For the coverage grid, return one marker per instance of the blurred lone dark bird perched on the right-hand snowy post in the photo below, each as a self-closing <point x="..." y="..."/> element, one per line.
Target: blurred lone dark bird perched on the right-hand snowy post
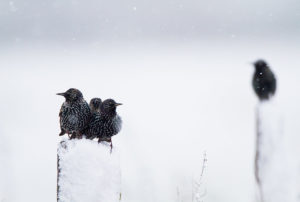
<point x="264" y="81"/>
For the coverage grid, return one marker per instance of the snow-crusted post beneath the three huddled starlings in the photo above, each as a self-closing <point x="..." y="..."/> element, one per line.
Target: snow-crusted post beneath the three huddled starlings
<point x="87" y="171"/>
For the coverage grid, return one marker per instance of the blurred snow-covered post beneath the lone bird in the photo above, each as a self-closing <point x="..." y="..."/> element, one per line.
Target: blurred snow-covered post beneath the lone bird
<point x="271" y="170"/>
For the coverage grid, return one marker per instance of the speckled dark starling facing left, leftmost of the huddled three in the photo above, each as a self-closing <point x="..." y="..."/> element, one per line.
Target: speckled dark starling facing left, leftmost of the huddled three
<point x="74" y="114"/>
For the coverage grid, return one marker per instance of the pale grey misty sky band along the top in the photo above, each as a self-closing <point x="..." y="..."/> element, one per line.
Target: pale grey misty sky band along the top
<point x="98" y="20"/>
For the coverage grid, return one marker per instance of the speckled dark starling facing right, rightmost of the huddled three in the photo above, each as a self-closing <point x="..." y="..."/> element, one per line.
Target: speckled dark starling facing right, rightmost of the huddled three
<point x="106" y="123"/>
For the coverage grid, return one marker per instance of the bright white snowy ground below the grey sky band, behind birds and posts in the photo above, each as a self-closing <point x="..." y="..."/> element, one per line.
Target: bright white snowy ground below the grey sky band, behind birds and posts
<point x="179" y="100"/>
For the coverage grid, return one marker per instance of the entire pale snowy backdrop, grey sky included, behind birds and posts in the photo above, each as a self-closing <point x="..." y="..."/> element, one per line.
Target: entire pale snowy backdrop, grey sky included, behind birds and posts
<point x="181" y="69"/>
